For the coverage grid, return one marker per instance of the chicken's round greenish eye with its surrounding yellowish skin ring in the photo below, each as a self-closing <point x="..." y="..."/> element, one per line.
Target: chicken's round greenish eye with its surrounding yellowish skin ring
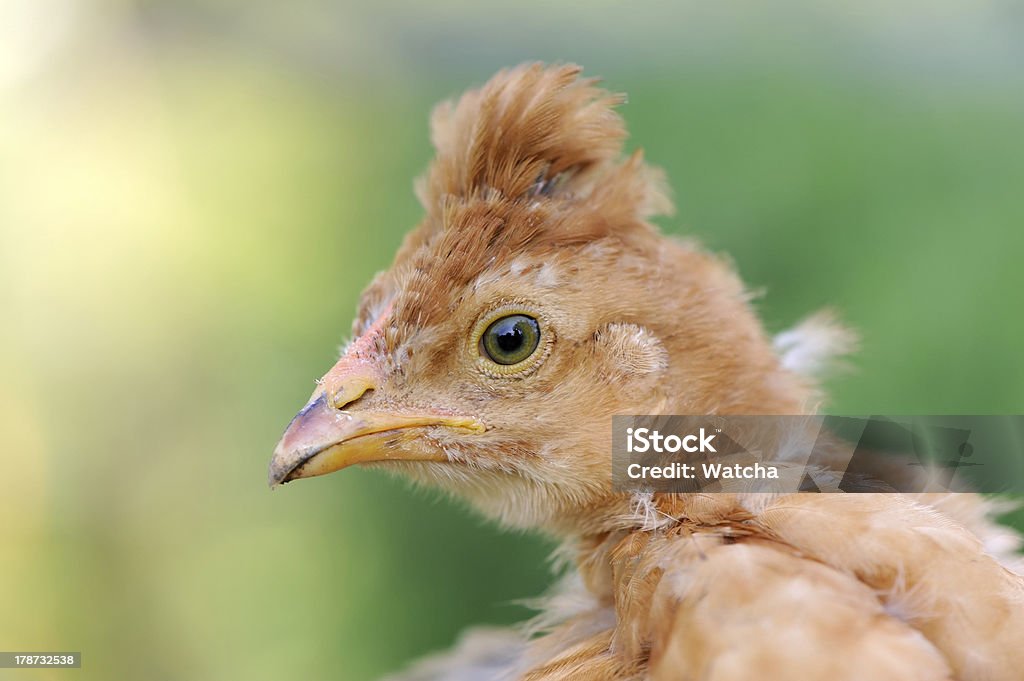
<point x="510" y="342"/>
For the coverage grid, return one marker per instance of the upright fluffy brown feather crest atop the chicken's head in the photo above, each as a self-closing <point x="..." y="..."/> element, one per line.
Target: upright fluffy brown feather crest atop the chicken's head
<point x="535" y="133"/>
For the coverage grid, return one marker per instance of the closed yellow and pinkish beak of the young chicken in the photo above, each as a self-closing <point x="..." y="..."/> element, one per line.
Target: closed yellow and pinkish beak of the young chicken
<point x="322" y="440"/>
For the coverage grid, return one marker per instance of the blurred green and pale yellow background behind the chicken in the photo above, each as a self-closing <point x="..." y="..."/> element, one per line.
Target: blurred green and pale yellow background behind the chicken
<point x="193" y="194"/>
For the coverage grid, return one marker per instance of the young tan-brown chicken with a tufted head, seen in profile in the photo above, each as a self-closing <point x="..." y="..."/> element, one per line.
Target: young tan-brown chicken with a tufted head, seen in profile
<point x="535" y="302"/>
